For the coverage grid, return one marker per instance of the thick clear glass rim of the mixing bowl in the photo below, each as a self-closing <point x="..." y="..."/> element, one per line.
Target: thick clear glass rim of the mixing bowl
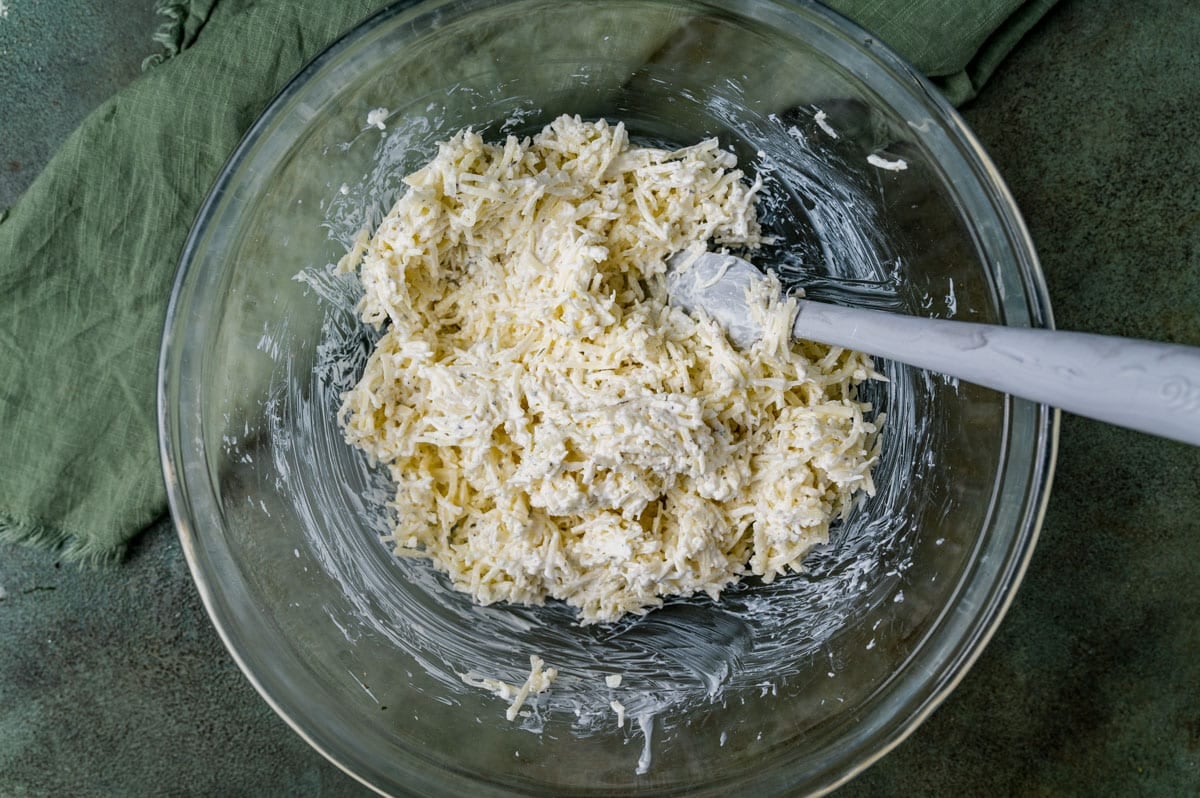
<point x="1046" y="428"/>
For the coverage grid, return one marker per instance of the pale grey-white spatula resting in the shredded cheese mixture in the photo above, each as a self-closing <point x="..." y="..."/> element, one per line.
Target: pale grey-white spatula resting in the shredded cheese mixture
<point x="1138" y="385"/>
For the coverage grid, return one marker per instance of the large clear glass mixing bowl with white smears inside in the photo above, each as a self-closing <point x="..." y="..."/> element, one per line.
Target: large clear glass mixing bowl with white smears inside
<point x="793" y="687"/>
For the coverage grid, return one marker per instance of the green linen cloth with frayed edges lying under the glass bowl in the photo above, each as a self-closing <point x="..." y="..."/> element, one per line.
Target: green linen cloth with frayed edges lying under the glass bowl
<point x="89" y="253"/>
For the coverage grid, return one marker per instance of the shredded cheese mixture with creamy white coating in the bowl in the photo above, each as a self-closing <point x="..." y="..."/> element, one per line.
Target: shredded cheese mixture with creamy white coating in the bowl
<point x="554" y="428"/>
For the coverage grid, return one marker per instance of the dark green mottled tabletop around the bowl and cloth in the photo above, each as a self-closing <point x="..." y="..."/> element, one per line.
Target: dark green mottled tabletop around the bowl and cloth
<point x="113" y="683"/>
